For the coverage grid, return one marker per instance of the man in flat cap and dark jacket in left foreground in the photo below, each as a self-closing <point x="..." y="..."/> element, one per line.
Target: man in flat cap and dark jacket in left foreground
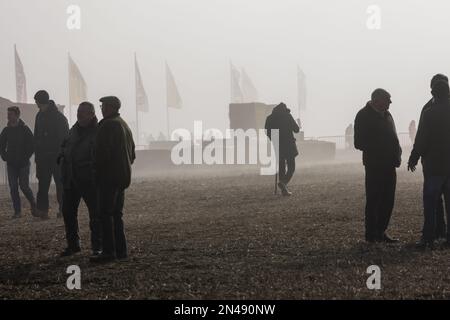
<point x="114" y="155"/>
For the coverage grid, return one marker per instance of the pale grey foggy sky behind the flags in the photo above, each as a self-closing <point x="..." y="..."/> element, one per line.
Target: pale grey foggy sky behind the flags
<point x="342" y="58"/>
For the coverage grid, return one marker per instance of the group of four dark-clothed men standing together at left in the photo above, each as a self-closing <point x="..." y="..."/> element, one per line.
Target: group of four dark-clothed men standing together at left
<point x="91" y="161"/>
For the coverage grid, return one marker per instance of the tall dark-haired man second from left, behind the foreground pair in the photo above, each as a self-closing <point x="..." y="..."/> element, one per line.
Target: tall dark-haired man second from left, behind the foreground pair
<point x="50" y="130"/>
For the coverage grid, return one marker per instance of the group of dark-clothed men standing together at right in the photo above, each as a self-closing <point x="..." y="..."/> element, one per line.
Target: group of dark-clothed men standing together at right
<point x="376" y="137"/>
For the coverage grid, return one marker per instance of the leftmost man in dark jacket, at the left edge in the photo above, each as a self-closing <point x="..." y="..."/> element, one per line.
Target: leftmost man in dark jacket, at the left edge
<point x="16" y="149"/>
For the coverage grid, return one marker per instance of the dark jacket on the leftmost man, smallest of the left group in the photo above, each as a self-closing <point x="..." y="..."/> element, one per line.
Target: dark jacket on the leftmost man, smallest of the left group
<point x="16" y="145"/>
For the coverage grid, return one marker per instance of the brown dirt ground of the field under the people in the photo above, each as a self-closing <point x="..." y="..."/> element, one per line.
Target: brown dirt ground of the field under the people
<point x="226" y="236"/>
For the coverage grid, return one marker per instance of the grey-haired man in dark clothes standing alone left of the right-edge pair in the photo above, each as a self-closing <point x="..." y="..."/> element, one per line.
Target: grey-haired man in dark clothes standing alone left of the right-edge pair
<point x="376" y="137"/>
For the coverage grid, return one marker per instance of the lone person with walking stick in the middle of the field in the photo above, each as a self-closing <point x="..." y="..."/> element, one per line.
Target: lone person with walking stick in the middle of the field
<point x="282" y="120"/>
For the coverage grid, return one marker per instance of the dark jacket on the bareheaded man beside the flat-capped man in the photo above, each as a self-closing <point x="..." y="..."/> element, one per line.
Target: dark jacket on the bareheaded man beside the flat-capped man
<point x="77" y="156"/>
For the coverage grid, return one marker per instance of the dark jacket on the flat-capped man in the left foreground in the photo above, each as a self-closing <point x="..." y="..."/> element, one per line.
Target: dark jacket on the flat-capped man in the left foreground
<point x="114" y="153"/>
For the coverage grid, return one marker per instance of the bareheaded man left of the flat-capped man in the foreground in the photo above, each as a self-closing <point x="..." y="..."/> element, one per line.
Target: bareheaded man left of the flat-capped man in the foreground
<point x="77" y="167"/>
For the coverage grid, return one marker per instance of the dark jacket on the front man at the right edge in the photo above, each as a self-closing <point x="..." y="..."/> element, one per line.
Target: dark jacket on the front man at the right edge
<point x="432" y="141"/>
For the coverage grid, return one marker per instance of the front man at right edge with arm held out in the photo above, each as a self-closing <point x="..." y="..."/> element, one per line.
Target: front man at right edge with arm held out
<point x="432" y="144"/>
